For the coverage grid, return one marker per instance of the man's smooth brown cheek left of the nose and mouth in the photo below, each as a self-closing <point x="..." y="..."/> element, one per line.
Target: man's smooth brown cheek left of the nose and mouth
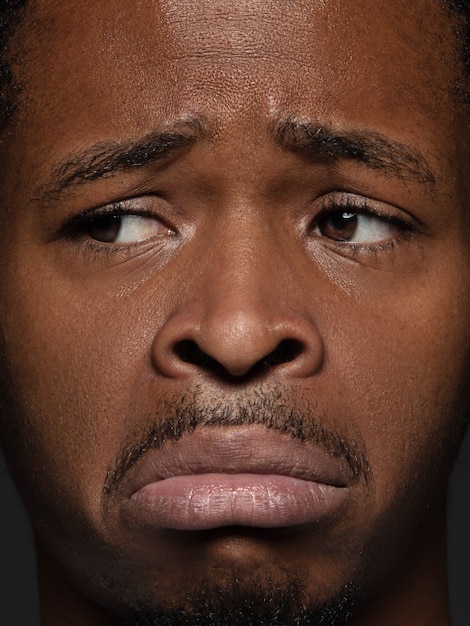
<point x="73" y="381"/>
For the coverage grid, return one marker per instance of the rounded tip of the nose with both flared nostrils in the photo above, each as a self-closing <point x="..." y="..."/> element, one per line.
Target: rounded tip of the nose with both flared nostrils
<point x="244" y="345"/>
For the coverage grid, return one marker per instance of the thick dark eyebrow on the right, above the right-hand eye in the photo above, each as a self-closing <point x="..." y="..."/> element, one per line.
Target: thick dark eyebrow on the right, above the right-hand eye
<point x="366" y="147"/>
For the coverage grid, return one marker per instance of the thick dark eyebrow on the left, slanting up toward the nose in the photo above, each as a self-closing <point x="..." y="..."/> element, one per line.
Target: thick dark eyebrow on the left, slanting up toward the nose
<point x="108" y="157"/>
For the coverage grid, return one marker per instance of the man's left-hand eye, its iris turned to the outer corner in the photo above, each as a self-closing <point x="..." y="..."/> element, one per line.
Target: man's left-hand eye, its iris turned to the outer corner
<point x="124" y="229"/>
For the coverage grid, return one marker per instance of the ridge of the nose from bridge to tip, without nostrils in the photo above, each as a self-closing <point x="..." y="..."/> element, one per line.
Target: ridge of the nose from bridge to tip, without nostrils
<point x="242" y="296"/>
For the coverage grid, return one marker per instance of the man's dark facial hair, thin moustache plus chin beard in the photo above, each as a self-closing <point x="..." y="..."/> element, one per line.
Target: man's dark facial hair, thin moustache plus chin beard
<point x="244" y="595"/>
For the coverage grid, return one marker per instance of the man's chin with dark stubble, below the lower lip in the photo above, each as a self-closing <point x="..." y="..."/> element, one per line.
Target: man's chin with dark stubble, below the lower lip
<point x="236" y="577"/>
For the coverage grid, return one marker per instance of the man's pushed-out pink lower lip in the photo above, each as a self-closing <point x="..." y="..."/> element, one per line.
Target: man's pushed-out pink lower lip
<point x="207" y="501"/>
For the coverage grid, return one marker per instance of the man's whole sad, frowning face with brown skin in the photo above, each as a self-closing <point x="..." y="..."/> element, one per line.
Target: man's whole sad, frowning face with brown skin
<point x="235" y="293"/>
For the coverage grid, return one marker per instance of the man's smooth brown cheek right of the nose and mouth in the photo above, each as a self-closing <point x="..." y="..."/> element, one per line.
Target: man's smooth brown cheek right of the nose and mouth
<point x="402" y="368"/>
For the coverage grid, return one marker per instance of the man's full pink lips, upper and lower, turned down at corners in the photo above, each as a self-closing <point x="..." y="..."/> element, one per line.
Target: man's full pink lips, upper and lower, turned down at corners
<point x="234" y="476"/>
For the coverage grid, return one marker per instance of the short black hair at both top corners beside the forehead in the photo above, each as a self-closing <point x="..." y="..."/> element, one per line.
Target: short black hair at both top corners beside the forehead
<point x="12" y="11"/>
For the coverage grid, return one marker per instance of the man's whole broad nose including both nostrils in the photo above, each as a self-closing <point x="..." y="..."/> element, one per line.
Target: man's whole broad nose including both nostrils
<point x="239" y="321"/>
